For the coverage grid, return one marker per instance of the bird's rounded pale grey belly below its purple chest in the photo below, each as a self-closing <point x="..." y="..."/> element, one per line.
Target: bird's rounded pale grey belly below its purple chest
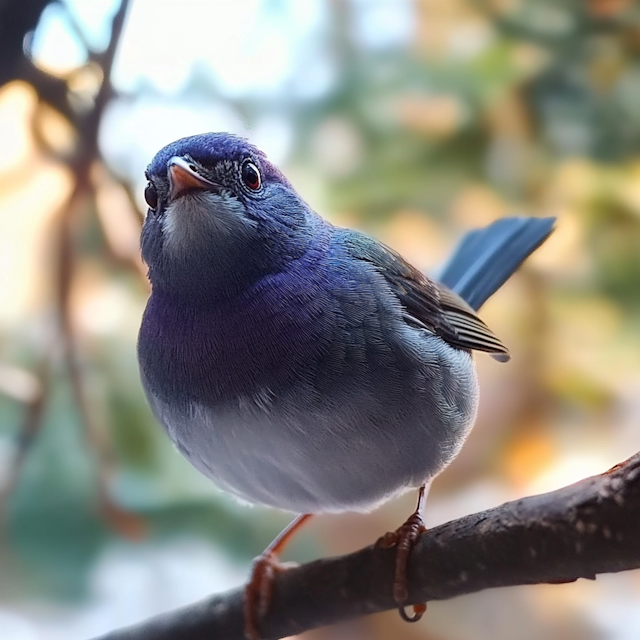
<point x="307" y="450"/>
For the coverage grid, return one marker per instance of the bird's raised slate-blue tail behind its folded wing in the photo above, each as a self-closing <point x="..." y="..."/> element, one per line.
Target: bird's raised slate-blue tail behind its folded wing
<point x="486" y="258"/>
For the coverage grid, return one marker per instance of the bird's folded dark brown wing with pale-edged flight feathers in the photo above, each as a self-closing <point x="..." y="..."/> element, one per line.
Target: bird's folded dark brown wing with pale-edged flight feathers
<point x="426" y="304"/>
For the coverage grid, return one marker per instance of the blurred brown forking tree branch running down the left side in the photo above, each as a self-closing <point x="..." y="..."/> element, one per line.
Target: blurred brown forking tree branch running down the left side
<point x="18" y="20"/>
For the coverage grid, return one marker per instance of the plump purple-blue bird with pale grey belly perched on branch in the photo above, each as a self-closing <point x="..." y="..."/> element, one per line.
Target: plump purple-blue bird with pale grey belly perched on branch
<point x="302" y="365"/>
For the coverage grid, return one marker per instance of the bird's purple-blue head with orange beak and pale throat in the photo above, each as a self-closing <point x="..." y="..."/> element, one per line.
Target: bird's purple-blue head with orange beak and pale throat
<point x="220" y="216"/>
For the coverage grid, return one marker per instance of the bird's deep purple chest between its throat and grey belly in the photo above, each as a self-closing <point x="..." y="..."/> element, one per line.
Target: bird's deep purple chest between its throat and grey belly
<point x="246" y="346"/>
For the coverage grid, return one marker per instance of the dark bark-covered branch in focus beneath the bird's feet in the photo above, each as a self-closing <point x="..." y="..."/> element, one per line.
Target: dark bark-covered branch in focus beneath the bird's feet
<point x="582" y="530"/>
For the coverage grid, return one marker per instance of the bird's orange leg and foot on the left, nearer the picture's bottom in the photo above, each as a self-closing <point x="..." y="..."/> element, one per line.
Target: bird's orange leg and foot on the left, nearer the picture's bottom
<point x="259" y="589"/>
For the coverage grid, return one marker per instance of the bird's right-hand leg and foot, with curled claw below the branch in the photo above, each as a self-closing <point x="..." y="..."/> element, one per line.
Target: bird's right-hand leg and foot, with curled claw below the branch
<point x="403" y="539"/>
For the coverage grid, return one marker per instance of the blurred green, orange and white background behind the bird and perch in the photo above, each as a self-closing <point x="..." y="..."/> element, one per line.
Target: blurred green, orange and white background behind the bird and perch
<point x="413" y="120"/>
